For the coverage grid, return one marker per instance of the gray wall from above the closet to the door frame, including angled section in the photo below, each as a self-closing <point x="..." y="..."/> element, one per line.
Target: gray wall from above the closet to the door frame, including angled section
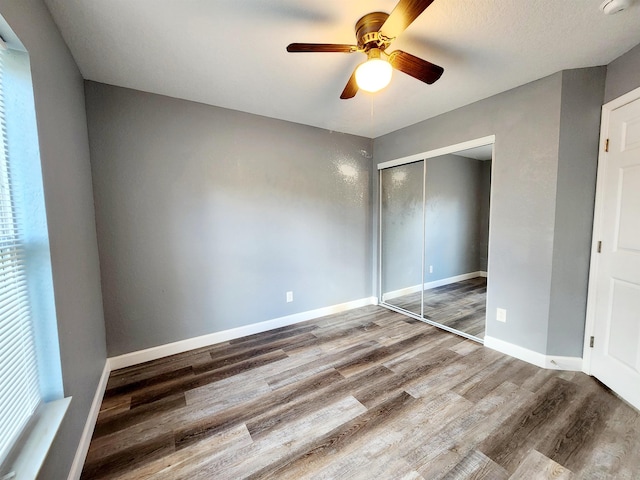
<point x="541" y="178"/>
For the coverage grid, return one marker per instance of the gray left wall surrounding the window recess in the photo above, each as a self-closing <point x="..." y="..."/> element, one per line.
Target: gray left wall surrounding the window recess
<point x="64" y="151"/>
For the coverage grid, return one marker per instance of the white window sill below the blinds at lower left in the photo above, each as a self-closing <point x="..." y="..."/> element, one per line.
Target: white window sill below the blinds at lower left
<point x="36" y="446"/>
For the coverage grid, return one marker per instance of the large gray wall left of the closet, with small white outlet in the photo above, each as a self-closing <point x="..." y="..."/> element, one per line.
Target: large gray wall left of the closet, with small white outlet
<point x="207" y="216"/>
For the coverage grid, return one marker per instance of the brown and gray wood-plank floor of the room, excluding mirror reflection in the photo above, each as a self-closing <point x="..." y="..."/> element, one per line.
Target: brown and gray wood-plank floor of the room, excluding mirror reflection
<point x="369" y="394"/>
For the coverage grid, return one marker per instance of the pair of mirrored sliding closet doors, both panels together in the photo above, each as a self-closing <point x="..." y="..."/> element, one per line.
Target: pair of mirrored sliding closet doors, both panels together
<point x="434" y="238"/>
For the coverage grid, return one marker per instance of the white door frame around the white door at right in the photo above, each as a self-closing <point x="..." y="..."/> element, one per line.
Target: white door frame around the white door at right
<point x="590" y="321"/>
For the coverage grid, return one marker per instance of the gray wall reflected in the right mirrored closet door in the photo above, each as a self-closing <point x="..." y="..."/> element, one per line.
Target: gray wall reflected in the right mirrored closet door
<point x="453" y="216"/>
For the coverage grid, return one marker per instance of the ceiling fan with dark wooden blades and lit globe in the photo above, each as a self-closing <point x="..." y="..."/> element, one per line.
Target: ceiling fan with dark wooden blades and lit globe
<point x="374" y="33"/>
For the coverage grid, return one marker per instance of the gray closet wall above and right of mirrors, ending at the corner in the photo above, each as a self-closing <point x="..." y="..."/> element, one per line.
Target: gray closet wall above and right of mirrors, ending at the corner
<point x="526" y="122"/>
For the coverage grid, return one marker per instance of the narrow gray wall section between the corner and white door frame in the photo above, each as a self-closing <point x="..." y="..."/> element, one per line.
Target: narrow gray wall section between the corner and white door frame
<point x="582" y="94"/>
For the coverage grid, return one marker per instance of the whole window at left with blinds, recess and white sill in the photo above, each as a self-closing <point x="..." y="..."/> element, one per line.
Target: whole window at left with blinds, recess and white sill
<point x="31" y="394"/>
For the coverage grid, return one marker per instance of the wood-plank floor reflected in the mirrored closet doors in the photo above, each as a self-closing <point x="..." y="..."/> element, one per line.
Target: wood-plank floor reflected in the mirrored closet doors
<point x="460" y="305"/>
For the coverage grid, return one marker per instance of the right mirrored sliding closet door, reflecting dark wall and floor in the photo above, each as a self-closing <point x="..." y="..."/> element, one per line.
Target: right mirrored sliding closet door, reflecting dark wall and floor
<point x="456" y="241"/>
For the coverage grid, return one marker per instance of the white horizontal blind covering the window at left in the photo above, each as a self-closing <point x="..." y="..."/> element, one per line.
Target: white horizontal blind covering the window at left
<point x="19" y="384"/>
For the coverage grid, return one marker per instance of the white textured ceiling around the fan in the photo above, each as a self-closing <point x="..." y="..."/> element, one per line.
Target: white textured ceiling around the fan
<point x="231" y="53"/>
